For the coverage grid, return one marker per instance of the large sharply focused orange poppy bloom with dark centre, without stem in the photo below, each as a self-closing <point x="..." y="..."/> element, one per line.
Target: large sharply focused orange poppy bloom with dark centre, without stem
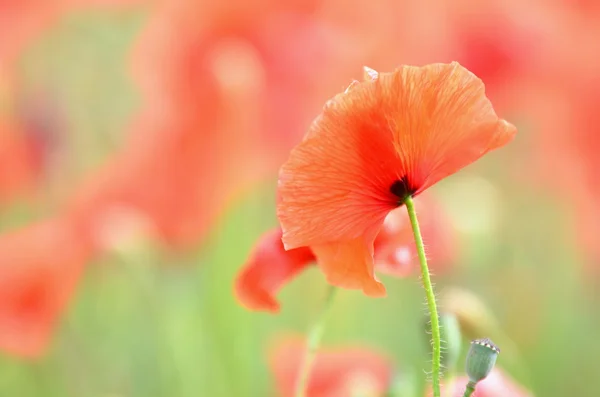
<point x="375" y="144"/>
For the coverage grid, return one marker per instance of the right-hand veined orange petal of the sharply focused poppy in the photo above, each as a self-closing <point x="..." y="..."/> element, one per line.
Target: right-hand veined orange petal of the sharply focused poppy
<point x="443" y="121"/>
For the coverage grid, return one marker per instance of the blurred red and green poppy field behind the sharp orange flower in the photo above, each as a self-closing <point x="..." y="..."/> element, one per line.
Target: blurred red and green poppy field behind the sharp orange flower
<point x="140" y="148"/>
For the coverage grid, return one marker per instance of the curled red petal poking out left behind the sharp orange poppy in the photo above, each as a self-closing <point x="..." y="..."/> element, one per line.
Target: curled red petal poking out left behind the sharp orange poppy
<point x="269" y="267"/>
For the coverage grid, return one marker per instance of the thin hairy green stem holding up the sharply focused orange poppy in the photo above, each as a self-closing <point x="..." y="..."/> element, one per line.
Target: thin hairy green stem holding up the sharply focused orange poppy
<point x="426" y="279"/>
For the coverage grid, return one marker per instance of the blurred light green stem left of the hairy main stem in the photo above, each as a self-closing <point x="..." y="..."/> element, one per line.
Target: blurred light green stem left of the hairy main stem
<point x="312" y="344"/>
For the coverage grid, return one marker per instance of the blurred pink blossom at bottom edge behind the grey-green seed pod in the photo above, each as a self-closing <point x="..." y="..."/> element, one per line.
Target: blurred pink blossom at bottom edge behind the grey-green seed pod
<point x="497" y="384"/>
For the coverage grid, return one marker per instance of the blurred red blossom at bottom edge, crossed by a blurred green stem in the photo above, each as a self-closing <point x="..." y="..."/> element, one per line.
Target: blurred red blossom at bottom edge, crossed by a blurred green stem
<point x="336" y="372"/>
